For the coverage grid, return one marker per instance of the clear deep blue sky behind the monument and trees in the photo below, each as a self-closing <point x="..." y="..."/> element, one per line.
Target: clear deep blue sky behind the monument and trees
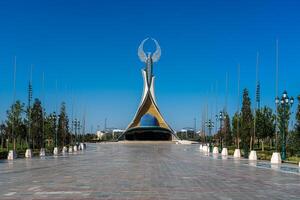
<point x="90" y="48"/>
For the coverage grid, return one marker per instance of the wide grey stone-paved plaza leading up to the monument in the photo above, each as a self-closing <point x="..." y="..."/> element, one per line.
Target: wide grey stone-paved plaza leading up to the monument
<point x="145" y="171"/>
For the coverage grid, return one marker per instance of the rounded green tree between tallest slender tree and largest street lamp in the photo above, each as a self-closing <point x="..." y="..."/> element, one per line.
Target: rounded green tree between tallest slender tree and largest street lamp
<point x="265" y="124"/>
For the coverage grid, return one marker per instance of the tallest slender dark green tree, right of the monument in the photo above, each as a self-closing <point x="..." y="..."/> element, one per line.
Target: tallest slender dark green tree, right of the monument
<point x="246" y="123"/>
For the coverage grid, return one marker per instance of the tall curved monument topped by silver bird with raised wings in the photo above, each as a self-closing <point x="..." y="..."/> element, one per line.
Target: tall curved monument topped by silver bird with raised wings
<point x="148" y="122"/>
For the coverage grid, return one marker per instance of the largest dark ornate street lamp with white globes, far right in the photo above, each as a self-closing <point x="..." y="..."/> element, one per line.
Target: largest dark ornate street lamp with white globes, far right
<point x="286" y="102"/>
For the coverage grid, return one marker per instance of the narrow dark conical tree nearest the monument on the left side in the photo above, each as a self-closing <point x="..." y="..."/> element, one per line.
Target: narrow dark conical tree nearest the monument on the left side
<point x="63" y="134"/>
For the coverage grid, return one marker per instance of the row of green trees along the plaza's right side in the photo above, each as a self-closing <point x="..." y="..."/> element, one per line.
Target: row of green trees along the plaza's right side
<point x="255" y="129"/>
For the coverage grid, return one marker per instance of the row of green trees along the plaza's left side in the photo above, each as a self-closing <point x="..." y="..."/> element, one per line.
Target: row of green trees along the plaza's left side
<point x="32" y="127"/>
